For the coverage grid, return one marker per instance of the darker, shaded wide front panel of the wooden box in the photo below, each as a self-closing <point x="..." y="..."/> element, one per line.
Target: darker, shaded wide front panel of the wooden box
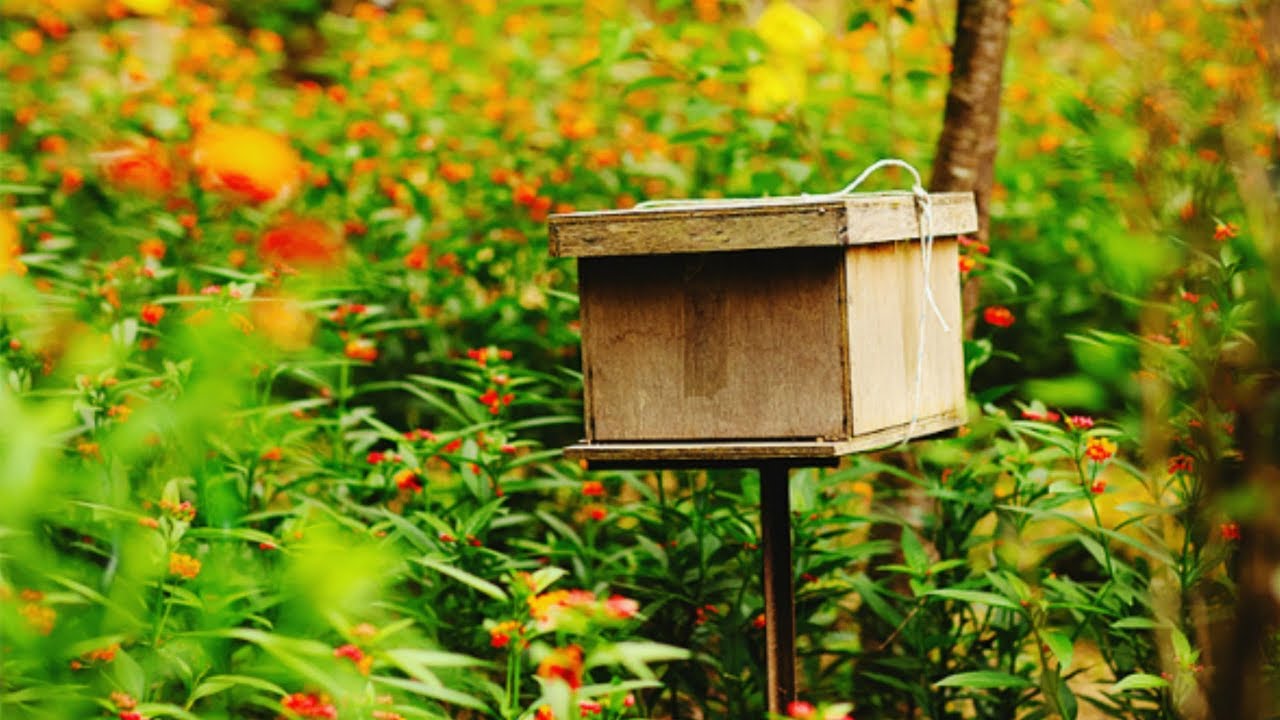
<point x="743" y="348"/>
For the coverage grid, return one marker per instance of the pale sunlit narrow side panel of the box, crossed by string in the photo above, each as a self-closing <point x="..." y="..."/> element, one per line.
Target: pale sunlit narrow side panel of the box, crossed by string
<point x="886" y="298"/>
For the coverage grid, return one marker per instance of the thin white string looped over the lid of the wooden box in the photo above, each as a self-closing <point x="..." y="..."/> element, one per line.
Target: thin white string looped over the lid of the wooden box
<point x="925" y="207"/>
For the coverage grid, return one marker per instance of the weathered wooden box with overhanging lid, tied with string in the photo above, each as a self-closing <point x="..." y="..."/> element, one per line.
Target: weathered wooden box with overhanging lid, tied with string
<point x="793" y="321"/>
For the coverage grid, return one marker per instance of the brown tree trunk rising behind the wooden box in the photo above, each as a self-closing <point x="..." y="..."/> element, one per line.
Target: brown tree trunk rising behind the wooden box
<point x="966" y="158"/>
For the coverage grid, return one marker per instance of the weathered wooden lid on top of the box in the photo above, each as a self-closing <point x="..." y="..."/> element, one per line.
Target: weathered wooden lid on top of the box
<point x="711" y="226"/>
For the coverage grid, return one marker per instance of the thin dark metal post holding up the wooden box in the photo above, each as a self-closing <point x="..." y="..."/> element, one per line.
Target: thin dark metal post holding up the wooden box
<point x="780" y="616"/>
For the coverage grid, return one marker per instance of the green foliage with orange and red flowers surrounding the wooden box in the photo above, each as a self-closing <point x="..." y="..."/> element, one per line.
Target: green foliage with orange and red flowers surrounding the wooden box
<point x="286" y="364"/>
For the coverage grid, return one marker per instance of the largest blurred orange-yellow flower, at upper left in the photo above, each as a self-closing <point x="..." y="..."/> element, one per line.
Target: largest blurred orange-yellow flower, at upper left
<point x="249" y="163"/>
